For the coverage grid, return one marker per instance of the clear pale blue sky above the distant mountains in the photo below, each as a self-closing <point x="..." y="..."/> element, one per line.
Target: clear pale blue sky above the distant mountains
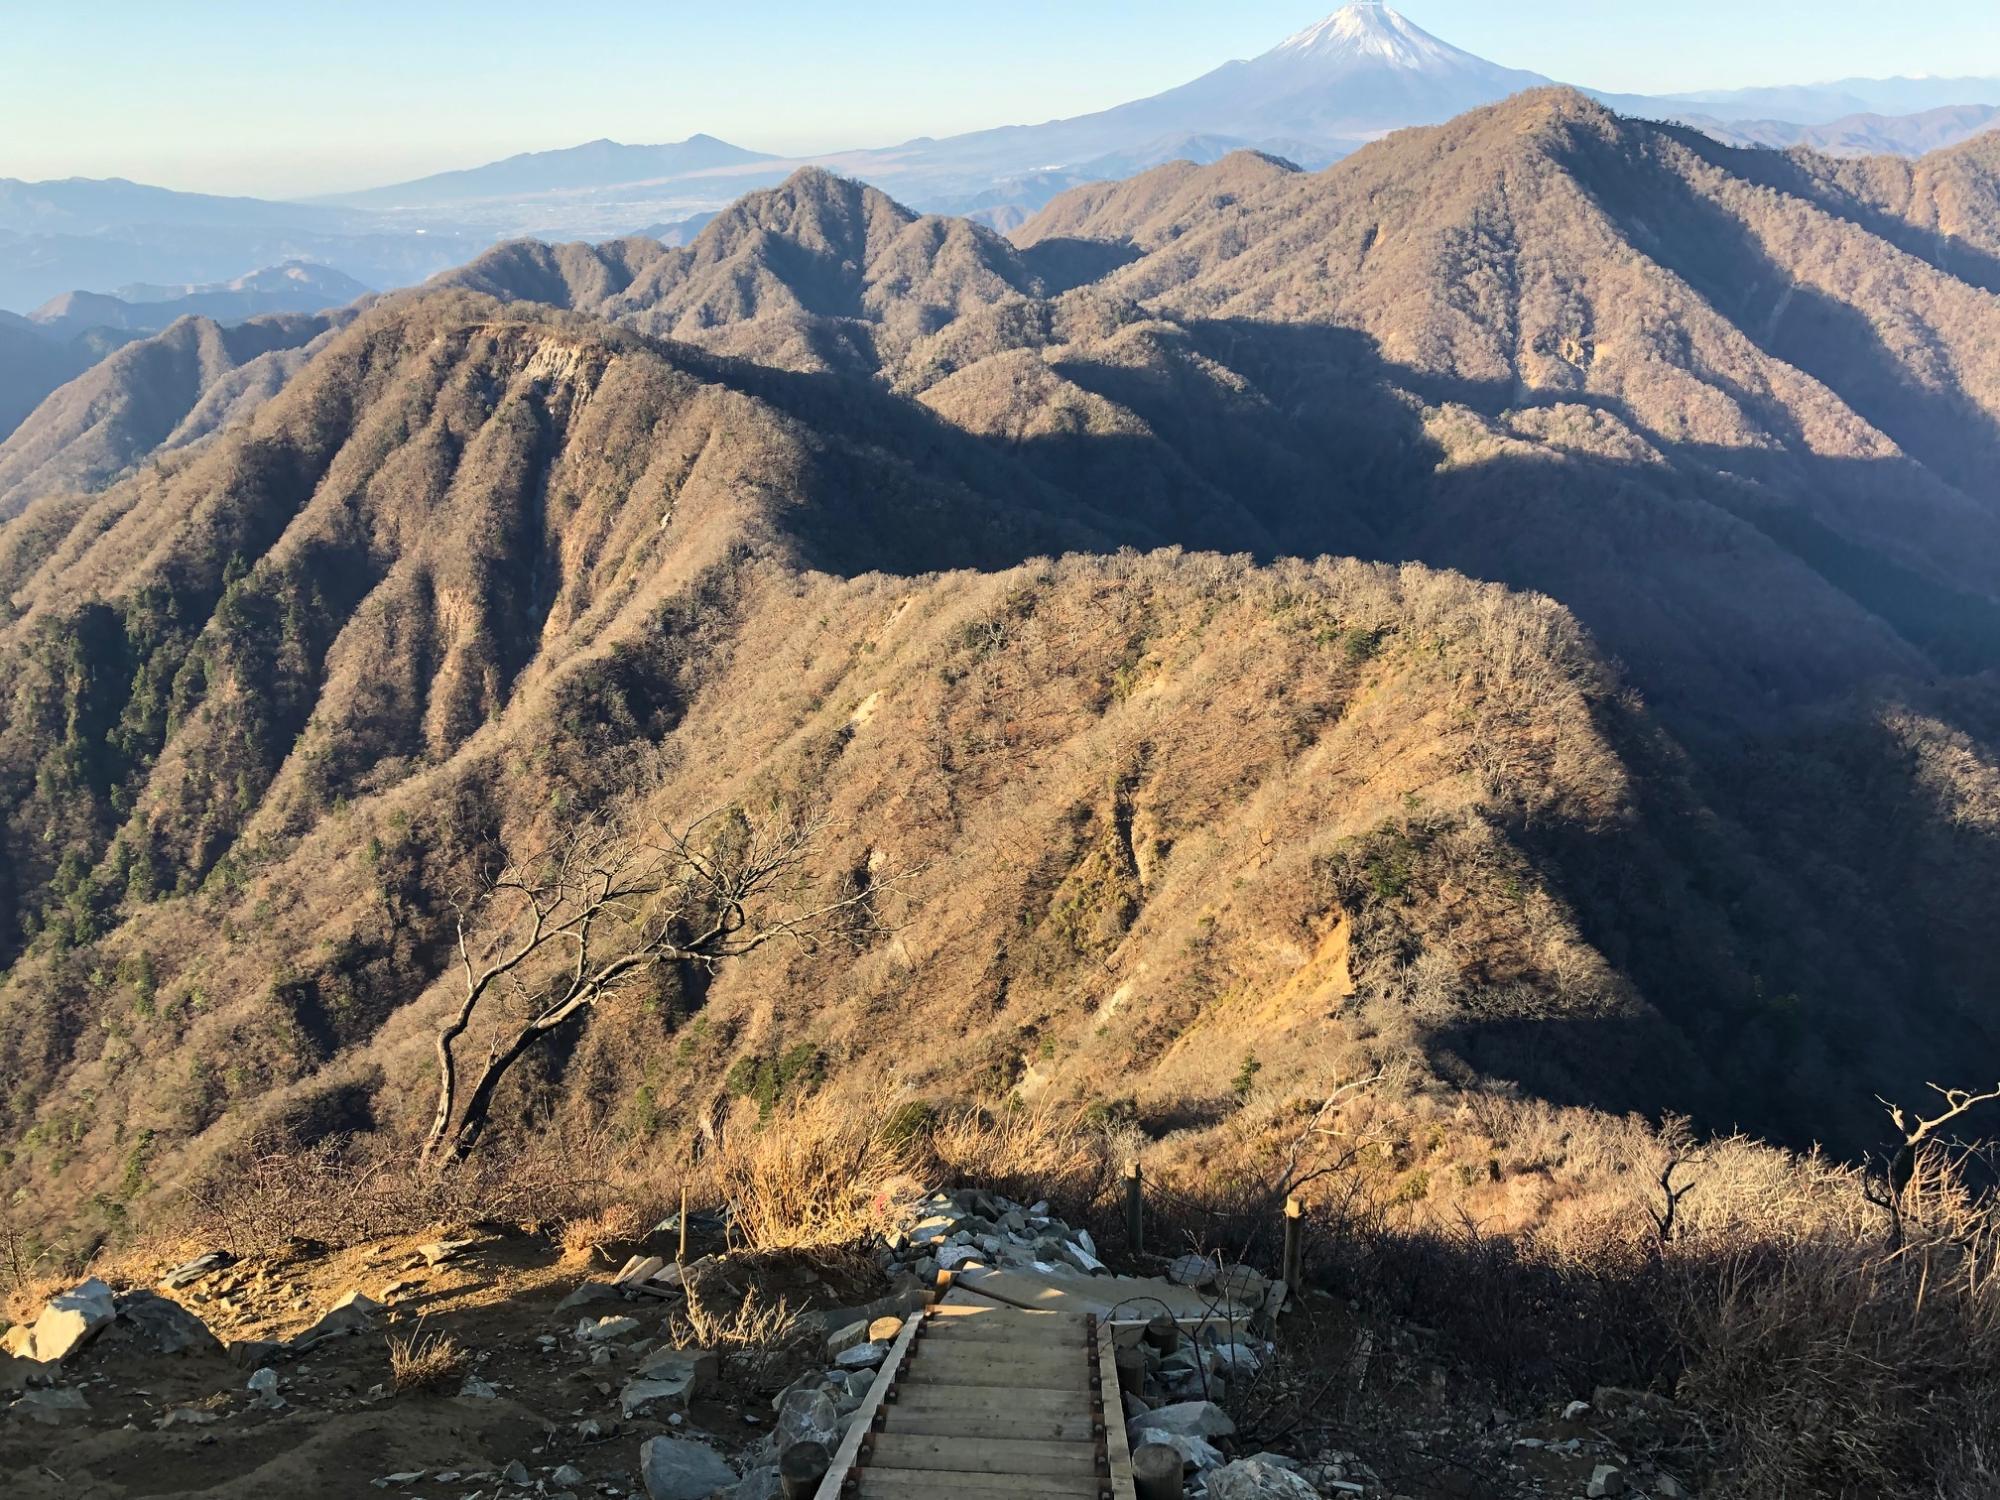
<point x="315" y="97"/>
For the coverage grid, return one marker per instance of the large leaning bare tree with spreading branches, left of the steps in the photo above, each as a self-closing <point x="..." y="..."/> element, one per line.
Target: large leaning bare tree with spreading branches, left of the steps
<point x="613" y="907"/>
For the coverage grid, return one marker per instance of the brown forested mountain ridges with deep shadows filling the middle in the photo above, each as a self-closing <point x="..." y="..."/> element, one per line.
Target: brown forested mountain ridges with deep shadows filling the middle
<point x="1523" y="599"/>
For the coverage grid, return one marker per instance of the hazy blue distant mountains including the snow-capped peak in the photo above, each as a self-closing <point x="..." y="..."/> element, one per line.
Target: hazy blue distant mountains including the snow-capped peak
<point x="1313" y="99"/>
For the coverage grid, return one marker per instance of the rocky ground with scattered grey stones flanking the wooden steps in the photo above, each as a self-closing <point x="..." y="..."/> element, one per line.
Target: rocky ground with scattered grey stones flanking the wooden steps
<point x="487" y="1363"/>
